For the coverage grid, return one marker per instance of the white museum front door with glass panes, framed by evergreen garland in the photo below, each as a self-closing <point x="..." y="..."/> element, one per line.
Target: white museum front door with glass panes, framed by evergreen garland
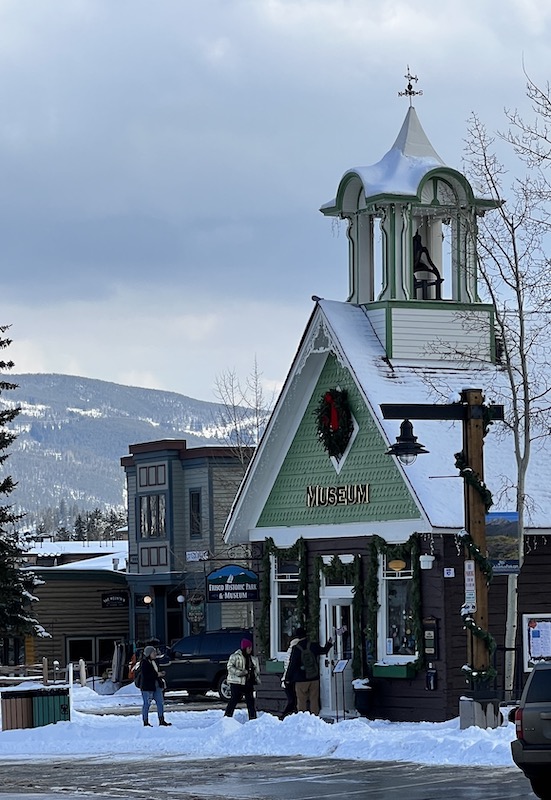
<point x="336" y="690"/>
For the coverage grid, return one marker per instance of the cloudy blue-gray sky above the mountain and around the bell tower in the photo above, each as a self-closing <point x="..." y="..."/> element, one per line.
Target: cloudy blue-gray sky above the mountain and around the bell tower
<point x="162" y="164"/>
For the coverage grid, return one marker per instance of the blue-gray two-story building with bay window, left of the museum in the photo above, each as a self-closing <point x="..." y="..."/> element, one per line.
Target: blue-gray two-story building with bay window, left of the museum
<point x="178" y="501"/>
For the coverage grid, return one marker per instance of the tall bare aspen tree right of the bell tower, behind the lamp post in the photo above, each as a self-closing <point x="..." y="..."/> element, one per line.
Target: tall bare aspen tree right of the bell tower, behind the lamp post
<point x="514" y="271"/>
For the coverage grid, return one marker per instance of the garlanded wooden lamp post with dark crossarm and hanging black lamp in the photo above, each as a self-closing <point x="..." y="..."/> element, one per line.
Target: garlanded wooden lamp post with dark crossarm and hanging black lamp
<point x="470" y="410"/>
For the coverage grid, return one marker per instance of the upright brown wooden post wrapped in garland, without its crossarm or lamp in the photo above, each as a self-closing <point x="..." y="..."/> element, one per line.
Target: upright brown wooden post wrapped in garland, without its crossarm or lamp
<point x="475" y="517"/>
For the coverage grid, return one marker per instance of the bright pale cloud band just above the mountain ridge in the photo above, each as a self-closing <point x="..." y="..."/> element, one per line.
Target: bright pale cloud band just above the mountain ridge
<point x="143" y="338"/>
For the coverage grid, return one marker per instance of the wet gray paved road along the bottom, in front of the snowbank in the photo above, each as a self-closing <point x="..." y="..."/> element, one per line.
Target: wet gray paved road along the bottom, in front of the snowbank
<point x="255" y="778"/>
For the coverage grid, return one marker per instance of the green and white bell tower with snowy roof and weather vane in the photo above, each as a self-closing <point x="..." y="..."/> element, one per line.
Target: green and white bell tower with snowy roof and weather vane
<point x="412" y="261"/>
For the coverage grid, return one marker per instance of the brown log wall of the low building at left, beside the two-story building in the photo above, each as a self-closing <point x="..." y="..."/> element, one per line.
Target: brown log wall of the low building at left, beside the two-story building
<point x="73" y="607"/>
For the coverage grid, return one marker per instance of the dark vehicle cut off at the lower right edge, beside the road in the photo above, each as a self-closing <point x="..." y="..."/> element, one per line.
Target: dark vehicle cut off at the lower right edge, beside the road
<point x="531" y="749"/>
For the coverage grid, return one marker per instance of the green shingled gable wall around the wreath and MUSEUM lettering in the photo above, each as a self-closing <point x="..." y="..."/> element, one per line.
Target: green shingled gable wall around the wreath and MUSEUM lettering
<point x="307" y="463"/>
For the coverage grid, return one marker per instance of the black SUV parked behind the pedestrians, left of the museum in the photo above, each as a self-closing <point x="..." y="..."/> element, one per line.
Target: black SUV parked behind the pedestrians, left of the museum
<point x="198" y="663"/>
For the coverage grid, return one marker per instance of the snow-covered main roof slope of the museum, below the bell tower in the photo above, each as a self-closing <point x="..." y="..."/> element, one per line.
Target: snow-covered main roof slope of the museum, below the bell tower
<point x="433" y="477"/>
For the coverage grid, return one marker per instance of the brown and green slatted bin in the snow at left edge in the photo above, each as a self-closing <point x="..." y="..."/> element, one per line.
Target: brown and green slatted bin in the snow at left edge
<point x="33" y="708"/>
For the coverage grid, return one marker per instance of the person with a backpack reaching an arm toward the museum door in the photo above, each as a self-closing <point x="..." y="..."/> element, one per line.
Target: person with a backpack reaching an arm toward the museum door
<point x="303" y="671"/>
